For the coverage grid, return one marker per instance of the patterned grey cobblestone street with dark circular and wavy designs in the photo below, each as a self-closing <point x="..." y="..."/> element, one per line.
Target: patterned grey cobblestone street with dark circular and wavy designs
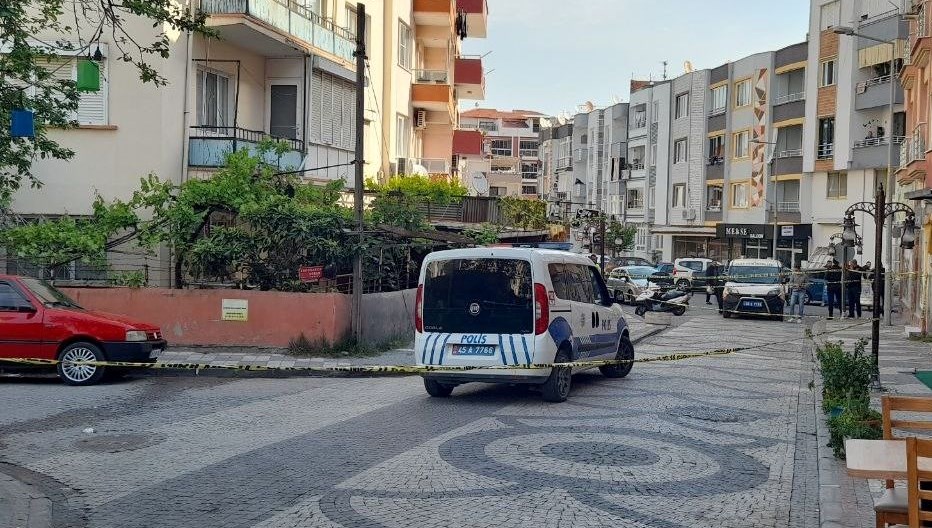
<point x="720" y="441"/>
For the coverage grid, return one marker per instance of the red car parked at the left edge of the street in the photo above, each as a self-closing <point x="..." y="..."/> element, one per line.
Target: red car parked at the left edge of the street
<point x="38" y="321"/>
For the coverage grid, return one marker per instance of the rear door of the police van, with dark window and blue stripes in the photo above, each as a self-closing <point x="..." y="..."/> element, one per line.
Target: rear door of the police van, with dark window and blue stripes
<point x="477" y="311"/>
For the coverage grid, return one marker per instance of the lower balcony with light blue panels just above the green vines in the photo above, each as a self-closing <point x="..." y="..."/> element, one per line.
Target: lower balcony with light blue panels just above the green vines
<point x="209" y="147"/>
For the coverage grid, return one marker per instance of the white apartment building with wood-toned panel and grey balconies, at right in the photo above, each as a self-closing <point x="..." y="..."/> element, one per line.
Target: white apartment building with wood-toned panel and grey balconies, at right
<point x="848" y="131"/>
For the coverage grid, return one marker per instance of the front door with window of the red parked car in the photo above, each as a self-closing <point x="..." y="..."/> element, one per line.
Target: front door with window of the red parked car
<point x="21" y="329"/>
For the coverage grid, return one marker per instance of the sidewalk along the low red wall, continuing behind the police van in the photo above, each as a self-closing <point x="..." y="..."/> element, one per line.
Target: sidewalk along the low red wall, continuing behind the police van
<point x="272" y="358"/>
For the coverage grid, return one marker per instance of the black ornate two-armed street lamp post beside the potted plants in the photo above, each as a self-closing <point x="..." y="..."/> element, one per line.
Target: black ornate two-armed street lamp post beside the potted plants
<point x="880" y="210"/>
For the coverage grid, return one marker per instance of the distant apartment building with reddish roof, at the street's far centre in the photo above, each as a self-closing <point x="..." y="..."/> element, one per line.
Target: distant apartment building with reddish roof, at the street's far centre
<point x="512" y="147"/>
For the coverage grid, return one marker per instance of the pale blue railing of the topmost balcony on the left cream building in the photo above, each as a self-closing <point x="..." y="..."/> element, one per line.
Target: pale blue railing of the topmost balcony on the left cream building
<point x="288" y="16"/>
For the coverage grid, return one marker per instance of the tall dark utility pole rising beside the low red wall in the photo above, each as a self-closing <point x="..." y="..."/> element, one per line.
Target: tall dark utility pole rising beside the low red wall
<point x="360" y="165"/>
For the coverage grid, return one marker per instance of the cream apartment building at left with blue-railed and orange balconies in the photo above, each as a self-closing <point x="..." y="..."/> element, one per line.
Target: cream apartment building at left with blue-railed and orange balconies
<point x="285" y="70"/>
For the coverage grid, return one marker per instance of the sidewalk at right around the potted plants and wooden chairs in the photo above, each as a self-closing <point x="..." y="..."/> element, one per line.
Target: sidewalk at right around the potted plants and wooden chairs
<point x="846" y="501"/>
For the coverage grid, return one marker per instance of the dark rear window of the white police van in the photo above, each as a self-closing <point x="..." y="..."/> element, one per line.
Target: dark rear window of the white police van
<point x="489" y="296"/>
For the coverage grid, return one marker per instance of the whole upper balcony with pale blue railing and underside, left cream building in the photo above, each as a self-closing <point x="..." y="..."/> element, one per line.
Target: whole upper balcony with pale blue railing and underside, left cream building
<point x="275" y="28"/>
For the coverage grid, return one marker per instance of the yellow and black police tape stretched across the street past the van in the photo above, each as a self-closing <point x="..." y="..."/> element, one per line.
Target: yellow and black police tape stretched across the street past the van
<point x="412" y="369"/>
